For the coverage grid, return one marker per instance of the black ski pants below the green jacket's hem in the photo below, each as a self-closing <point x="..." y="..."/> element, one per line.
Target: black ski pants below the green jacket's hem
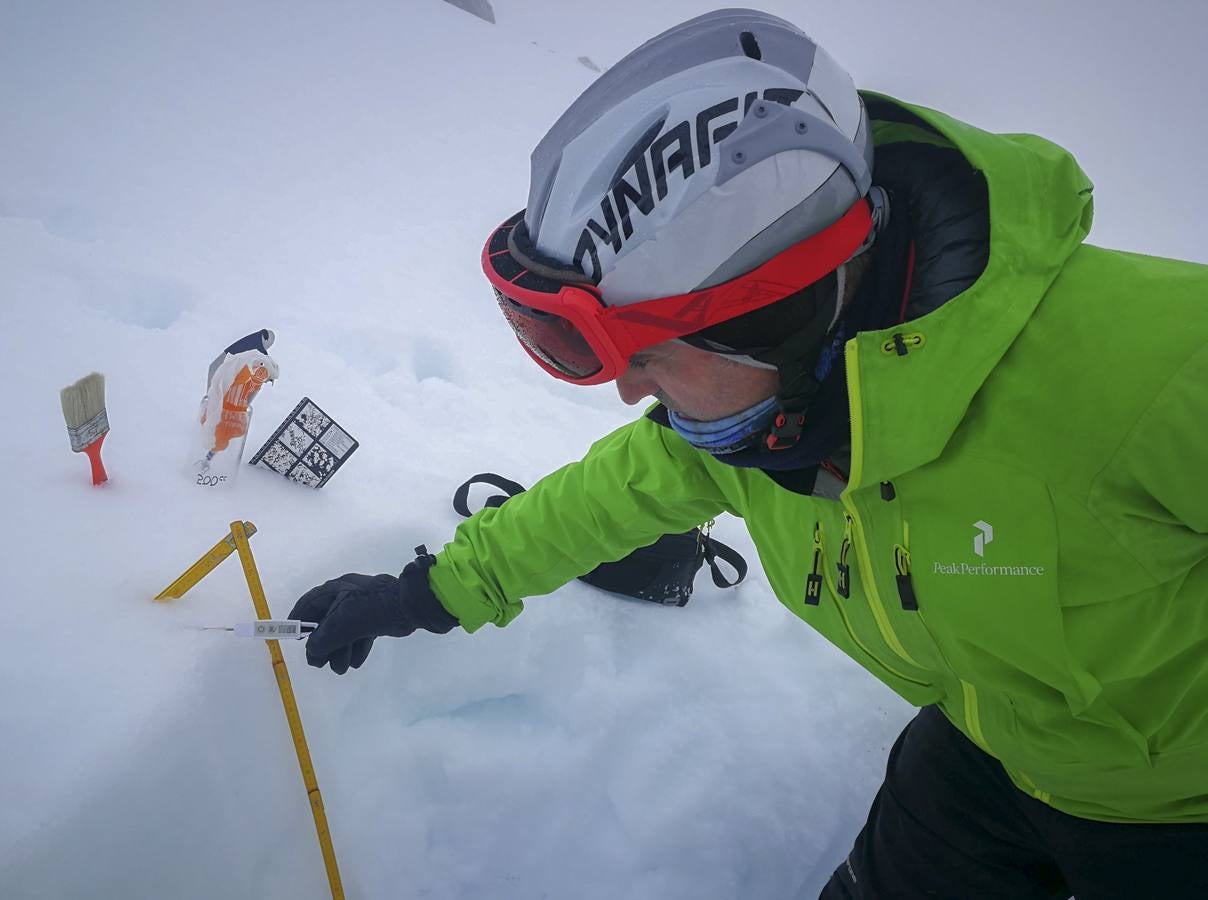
<point x="949" y="823"/>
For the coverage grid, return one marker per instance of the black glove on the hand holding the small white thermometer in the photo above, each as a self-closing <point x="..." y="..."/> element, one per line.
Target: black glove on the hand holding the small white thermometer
<point x="353" y="611"/>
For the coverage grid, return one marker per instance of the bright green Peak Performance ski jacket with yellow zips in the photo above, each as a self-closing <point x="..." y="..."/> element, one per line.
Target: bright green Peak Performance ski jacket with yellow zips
<point x="1024" y="539"/>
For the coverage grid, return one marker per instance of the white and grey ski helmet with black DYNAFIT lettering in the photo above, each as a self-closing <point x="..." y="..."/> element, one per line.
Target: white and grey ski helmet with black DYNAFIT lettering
<point x="708" y="150"/>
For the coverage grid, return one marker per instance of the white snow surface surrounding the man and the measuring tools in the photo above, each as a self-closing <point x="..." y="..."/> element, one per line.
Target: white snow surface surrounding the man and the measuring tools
<point x="173" y="177"/>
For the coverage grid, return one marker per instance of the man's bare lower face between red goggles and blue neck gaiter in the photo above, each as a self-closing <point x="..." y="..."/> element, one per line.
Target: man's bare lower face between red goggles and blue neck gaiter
<point x="694" y="384"/>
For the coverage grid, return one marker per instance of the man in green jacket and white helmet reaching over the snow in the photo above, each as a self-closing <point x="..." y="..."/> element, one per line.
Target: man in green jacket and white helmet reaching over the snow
<point x="969" y="448"/>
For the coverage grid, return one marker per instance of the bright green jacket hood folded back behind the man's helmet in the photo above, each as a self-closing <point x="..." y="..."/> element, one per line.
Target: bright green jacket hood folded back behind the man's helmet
<point x="908" y="405"/>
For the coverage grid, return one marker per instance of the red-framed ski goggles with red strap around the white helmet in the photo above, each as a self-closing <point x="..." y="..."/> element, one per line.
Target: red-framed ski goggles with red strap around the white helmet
<point x="562" y="322"/>
